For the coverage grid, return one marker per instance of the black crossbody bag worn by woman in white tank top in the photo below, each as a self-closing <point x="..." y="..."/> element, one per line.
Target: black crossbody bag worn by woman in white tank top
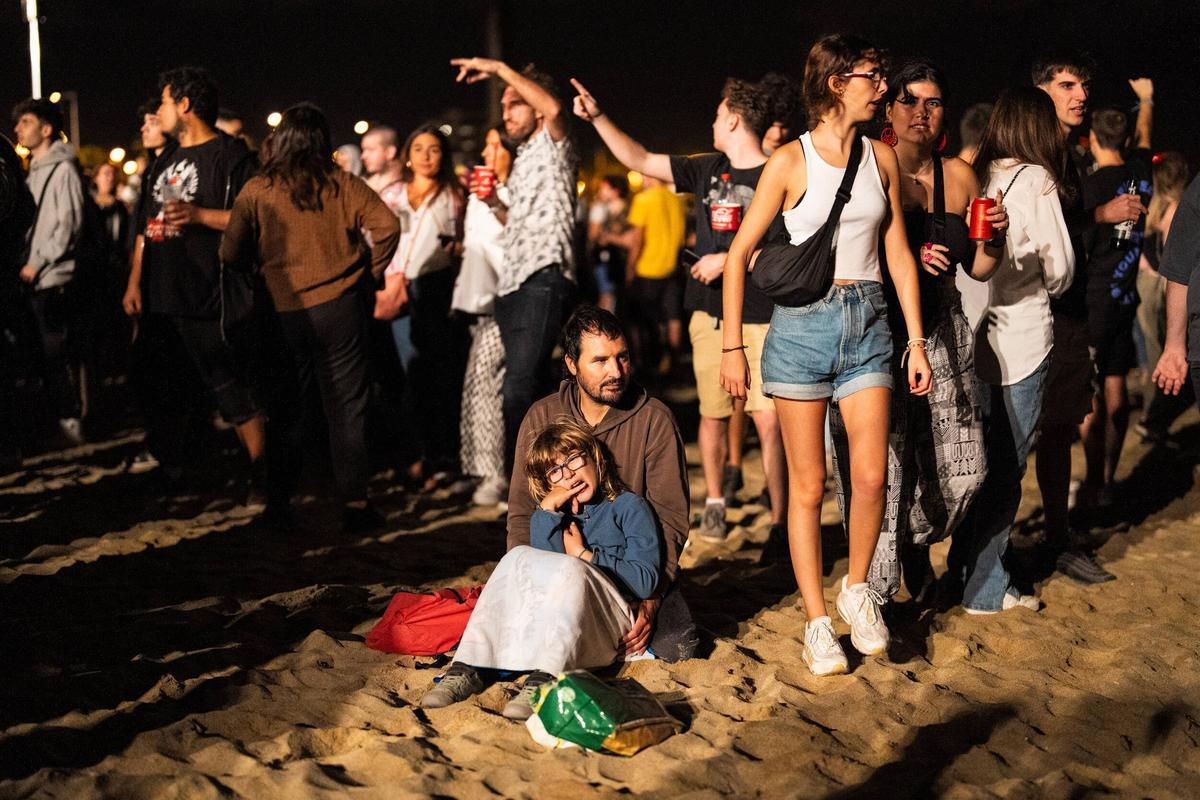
<point x="796" y="275"/>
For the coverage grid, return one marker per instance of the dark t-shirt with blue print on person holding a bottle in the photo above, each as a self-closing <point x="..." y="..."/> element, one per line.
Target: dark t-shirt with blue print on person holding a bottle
<point x="1113" y="273"/>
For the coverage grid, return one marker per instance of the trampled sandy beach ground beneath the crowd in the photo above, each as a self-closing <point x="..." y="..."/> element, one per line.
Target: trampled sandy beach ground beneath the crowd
<point x="167" y="646"/>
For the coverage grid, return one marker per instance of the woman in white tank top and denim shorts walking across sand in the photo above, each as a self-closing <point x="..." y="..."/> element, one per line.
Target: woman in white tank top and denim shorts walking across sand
<point x="838" y="347"/>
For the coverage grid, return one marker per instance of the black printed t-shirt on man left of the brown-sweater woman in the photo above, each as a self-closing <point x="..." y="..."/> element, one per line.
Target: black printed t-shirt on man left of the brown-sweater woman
<point x="181" y="267"/>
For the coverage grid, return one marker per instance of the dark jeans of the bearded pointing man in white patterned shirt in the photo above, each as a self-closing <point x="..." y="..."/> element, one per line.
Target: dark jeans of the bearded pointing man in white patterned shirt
<point x="531" y="321"/>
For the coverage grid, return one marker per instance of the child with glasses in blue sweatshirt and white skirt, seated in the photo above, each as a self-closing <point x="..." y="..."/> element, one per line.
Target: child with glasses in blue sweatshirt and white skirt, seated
<point x="568" y="599"/>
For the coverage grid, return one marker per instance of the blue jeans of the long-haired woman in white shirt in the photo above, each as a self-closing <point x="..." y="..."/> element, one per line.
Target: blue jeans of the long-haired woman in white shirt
<point x="1011" y="426"/>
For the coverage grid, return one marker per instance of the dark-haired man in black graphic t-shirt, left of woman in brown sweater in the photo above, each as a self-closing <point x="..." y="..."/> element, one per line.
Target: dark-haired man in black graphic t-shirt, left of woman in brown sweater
<point x="176" y="278"/>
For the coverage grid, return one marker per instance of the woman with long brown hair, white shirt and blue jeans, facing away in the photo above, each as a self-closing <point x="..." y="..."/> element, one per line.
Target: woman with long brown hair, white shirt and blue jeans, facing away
<point x="1023" y="155"/>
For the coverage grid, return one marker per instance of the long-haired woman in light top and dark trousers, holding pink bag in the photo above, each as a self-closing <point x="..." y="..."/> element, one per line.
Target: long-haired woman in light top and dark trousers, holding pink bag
<point x="433" y="348"/>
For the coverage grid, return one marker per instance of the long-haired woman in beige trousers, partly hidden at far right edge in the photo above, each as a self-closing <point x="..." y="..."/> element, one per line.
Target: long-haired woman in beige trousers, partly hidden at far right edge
<point x="1171" y="178"/>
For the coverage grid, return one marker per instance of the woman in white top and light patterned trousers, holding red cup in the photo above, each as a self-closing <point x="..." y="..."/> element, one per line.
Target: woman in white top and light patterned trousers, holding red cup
<point x="482" y="444"/>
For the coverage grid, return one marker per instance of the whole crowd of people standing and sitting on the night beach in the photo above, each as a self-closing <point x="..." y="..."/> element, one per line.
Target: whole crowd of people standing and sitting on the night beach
<point x="380" y="292"/>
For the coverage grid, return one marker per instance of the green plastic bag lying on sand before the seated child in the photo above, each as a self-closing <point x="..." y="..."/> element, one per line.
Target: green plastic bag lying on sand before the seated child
<point x="621" y="718"/>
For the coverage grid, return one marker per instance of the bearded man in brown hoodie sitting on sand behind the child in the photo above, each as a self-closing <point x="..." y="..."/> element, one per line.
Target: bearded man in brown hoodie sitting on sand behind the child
<point x="644" y="441"/>
